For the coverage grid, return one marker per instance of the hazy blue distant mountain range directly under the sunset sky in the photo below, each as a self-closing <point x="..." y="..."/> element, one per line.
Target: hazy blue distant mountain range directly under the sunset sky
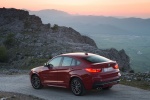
<point x="95" y="24"/>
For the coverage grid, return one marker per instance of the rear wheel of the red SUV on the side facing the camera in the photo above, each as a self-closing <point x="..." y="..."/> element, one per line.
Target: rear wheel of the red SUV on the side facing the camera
<point x="77" y="87"/>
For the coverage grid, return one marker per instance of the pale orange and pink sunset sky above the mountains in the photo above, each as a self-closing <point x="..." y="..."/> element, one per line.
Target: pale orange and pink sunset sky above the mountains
<point x="124" y="8"/>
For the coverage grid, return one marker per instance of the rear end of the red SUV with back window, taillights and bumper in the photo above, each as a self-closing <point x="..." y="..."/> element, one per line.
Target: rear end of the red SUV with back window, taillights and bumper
<point x="102" y="72"/>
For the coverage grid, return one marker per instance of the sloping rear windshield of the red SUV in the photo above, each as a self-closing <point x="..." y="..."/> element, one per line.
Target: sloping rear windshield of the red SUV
<point x="96" y="59"/>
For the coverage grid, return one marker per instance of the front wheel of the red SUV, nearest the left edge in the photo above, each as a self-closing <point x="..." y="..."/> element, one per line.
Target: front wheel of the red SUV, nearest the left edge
<point x="36" y="82"/>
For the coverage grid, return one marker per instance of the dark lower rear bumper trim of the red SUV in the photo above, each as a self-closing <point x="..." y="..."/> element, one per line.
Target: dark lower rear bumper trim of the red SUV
<point x="106" y="84"/>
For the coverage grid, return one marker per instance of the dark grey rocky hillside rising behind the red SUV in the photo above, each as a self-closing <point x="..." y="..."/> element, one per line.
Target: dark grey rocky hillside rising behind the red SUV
<point x="24" y="38"/>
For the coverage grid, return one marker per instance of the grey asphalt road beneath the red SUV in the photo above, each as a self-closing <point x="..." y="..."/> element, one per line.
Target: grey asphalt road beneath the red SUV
<point x="21" y="84"/>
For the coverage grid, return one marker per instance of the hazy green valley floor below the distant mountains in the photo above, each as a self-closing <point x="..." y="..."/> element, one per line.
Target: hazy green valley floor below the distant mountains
<point x="137" y="47"/>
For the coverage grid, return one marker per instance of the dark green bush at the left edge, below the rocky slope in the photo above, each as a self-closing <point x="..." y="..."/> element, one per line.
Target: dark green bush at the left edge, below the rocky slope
<point x="3" y="54"/>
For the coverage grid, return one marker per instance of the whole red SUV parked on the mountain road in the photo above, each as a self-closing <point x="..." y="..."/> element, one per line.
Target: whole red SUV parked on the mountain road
<point x="78" y="71"/>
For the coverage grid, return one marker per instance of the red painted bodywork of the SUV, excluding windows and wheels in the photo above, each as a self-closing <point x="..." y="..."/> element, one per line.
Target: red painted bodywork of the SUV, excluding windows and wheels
<point x="61" y="76"/>
